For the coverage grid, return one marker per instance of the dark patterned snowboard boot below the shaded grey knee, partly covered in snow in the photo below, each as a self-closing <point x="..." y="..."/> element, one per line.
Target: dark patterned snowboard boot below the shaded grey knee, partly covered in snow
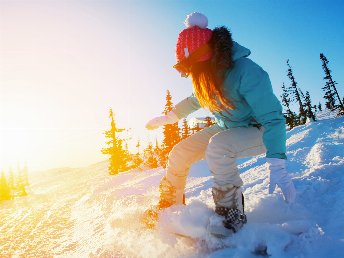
<point x="229" y="209"/>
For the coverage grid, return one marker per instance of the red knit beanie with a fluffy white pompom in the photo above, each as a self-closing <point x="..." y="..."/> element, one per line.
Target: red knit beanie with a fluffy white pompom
<point x="193" y="37"/>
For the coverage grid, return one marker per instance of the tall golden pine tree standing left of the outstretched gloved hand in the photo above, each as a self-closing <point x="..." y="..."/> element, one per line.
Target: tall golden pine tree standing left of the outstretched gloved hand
<point x="118" y="156"/>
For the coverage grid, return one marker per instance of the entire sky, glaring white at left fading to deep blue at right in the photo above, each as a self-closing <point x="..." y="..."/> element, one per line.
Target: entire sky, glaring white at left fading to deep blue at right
<point x="64" y="63"/>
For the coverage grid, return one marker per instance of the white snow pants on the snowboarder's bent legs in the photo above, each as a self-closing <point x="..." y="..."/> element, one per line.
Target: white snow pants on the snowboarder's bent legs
<point x="221" y="148"/>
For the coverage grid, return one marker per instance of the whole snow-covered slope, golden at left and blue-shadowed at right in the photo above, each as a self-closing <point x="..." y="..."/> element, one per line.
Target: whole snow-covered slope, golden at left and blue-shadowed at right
<point x="86" y="213"/>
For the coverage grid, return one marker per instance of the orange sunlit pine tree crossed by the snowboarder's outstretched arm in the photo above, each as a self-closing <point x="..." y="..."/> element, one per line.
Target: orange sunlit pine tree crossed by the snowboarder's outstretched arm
<point x="171" y="132"/>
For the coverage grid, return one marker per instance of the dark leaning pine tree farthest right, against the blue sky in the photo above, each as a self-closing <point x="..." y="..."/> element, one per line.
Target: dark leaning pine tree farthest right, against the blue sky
<point x="330" y="89"/>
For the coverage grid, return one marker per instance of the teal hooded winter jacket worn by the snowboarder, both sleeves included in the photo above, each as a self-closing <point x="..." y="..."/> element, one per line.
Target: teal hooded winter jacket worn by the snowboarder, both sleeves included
<point x="249" y="88"/>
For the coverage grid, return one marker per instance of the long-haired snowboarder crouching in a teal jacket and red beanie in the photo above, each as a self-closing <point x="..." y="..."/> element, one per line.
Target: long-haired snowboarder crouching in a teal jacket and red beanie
<point x="249" y="121"/>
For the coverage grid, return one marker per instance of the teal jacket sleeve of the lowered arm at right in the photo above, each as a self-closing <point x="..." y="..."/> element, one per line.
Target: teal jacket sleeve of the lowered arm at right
<point x="257" y="91"/>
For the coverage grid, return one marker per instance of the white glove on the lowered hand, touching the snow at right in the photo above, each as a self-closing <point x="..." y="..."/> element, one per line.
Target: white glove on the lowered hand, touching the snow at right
<point x="280" y="177"/>
